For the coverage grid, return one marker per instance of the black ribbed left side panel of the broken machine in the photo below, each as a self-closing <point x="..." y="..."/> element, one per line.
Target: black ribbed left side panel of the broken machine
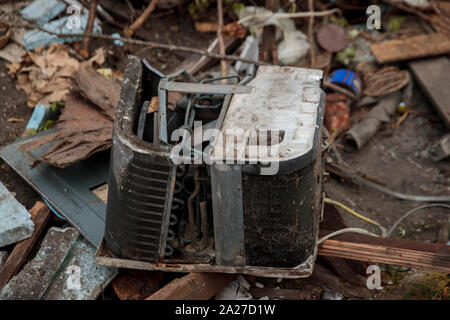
<point x="142" y="177"/>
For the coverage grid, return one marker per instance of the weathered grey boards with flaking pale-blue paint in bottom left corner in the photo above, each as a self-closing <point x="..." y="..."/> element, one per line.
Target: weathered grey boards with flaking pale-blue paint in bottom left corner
<point x="62" y="269"/>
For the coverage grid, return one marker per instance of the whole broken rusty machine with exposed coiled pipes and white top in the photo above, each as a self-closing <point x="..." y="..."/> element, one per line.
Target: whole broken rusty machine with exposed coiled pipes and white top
<point x="227" y="178"/>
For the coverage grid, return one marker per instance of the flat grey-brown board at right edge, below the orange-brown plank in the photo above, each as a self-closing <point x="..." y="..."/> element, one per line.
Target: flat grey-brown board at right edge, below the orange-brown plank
<point x="433" y="77"/>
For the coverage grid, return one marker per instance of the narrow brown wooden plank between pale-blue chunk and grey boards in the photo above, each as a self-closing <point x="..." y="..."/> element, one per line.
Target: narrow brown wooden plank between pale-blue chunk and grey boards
<point x="40" y="215"/>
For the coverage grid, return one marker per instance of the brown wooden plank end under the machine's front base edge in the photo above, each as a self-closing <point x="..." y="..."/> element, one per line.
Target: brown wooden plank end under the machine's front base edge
<point x="194" y="286"/>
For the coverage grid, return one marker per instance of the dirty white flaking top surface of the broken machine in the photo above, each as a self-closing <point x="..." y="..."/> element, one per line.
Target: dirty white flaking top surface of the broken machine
<point x="286" y="100"/>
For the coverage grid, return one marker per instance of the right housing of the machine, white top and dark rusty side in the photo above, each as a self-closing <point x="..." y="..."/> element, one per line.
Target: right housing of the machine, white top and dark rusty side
<point x="278" y="124"/>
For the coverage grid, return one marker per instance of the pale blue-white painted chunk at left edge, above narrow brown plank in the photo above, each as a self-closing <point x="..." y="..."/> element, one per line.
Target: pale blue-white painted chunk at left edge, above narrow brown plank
<point x="15" y="220"/>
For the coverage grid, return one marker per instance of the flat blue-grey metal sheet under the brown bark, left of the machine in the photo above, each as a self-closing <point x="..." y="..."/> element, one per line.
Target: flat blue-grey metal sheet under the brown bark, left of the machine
<point x="68" y="190"/>
